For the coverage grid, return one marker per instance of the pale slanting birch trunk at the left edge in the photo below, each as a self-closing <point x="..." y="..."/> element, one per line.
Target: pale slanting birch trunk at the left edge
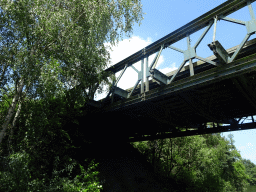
<point x="11" y="110"/>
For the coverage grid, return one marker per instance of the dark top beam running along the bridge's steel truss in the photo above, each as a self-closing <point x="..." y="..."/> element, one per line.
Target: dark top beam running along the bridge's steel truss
<point x="223" y="10"/>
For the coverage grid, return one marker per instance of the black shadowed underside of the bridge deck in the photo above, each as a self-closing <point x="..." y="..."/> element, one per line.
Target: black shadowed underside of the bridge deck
<point x="218" y="102"/>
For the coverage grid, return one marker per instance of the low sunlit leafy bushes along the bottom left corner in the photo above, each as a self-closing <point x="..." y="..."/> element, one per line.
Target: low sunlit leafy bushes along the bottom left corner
<point x="18" y="177"/>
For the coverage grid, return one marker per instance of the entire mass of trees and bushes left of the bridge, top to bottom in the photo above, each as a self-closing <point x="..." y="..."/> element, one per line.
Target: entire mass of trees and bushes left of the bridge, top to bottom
<point x="49" y="47"/>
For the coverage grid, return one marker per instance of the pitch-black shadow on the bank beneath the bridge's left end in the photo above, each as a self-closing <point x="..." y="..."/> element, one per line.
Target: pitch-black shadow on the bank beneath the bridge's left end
<point x="121" y="166"/>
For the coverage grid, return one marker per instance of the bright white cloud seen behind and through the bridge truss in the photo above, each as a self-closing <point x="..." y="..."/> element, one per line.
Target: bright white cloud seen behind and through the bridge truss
<point x="123" y="50"/>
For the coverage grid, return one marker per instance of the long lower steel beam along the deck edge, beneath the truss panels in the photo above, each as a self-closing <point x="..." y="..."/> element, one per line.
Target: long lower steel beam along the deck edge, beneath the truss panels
<point x="238" y="67"/>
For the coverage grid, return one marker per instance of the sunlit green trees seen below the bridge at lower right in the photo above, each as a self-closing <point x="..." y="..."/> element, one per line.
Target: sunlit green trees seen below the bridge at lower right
<point x="197" y="163"/>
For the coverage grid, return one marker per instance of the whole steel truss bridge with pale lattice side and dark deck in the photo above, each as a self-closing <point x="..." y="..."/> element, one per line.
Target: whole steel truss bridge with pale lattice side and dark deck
<point x="220" y="89"/>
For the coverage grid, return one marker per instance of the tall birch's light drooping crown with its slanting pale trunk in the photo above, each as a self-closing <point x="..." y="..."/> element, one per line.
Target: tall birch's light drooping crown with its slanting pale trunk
<point x="49" y="46"/>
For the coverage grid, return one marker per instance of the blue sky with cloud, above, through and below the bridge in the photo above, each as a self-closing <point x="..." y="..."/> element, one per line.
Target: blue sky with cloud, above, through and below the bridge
<point x="163" y="17"/>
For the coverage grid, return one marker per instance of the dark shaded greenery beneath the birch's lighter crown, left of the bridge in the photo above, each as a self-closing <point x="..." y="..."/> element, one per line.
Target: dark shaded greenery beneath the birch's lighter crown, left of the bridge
<point x="40" y="158"/>
